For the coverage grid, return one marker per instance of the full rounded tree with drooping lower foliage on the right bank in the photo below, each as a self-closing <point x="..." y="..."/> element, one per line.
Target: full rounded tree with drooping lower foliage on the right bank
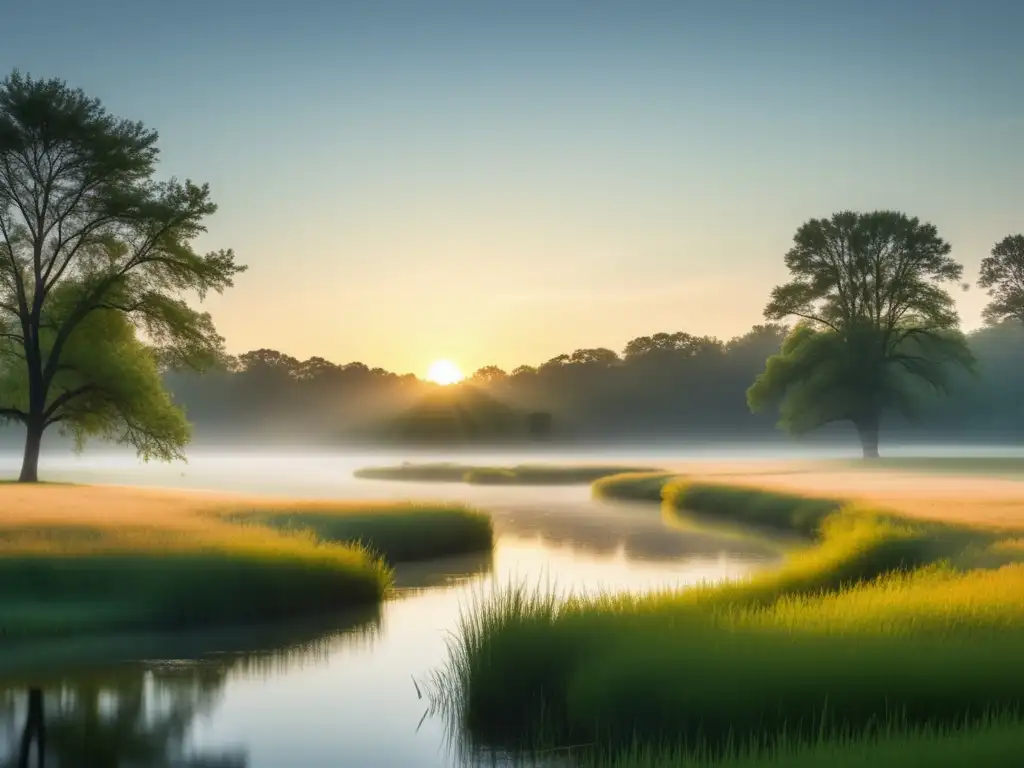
<point x="876" y="319"/>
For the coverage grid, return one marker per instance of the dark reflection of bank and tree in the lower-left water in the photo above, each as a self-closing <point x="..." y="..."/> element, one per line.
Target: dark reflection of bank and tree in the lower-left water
<point x="97" y="703"/>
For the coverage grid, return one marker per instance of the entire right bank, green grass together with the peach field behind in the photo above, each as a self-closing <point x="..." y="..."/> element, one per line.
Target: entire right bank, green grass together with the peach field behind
<point x="901" y="619"/>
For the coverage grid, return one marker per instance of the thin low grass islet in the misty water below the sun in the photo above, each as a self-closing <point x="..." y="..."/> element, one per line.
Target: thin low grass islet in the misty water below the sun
<point x="521" y="475"/>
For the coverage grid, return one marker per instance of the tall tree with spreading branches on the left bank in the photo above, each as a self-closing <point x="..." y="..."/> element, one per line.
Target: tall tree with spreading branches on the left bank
<point x="87" y="234"/>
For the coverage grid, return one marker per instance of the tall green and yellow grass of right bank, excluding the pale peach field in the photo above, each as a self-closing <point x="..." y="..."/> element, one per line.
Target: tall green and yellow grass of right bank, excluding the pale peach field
<point x="872" y="622"/>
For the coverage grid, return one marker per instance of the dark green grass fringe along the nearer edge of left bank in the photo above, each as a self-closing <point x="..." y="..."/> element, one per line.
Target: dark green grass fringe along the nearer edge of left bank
<point x="53" y="595"/>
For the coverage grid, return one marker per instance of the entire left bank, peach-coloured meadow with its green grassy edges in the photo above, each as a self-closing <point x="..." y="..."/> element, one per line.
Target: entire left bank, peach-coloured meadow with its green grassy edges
<point x="75" y="560"/>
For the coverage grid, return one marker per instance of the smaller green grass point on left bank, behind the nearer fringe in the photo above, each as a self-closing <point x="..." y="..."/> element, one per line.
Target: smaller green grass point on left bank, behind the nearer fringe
<point x="399" y="533"/>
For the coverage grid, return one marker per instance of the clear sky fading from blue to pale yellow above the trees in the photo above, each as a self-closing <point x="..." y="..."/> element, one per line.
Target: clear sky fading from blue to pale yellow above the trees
<point x="502" y="183"/>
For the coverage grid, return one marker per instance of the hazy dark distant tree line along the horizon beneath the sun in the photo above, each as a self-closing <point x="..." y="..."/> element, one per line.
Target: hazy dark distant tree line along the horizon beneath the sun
<point x="667" y="387"/>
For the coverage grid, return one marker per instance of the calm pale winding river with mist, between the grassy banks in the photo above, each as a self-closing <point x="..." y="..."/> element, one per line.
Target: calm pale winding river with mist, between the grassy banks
<point x="340" y="691"/>
